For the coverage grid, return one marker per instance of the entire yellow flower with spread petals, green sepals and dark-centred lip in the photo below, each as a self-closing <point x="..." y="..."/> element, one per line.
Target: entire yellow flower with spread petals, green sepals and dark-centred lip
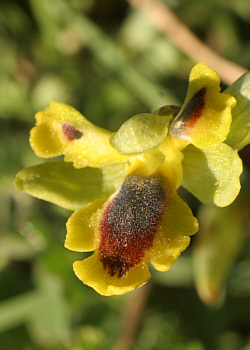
<point x="123" y="185"/>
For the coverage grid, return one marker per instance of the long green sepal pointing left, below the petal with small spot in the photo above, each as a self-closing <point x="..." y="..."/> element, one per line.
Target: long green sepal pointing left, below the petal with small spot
<point x="70" y="188"/>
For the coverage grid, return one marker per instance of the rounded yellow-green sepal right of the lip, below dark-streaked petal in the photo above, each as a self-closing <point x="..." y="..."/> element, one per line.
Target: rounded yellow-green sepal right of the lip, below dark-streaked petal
<point x="212" y="175"/>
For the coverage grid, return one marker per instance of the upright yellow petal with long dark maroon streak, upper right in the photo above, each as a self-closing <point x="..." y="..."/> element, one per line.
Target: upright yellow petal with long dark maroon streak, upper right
<point x="205" y="117"/>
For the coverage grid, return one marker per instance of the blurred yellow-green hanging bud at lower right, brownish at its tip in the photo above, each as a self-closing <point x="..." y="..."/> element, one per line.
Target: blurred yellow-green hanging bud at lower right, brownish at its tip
<point x="219" y="241"/>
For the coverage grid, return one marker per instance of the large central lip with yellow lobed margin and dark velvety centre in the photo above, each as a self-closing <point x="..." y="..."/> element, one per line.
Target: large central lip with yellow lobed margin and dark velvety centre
<point x="145" y="220"/>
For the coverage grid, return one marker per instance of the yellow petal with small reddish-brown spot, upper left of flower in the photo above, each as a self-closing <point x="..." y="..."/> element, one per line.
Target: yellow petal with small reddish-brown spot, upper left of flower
<point x="60" y="129"/>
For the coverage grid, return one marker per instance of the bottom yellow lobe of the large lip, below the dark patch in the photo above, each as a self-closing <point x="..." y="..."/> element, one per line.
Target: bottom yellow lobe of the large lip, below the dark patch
<point x="92" y="273"/>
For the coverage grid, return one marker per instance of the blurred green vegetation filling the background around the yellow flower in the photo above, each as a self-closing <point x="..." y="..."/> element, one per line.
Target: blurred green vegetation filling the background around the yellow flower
<point x="108" y="61"/>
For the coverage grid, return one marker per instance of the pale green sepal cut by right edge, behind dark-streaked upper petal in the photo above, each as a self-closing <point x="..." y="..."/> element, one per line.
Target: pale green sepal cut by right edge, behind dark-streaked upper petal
<point x="238" y="136"/>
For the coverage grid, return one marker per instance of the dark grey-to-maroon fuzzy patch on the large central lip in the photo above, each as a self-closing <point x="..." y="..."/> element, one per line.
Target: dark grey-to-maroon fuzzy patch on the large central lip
<point x="130" y="221"/>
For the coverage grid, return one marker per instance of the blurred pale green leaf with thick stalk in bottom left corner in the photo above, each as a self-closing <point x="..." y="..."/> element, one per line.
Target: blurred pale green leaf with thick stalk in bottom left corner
<point x="45" y="310"/>
